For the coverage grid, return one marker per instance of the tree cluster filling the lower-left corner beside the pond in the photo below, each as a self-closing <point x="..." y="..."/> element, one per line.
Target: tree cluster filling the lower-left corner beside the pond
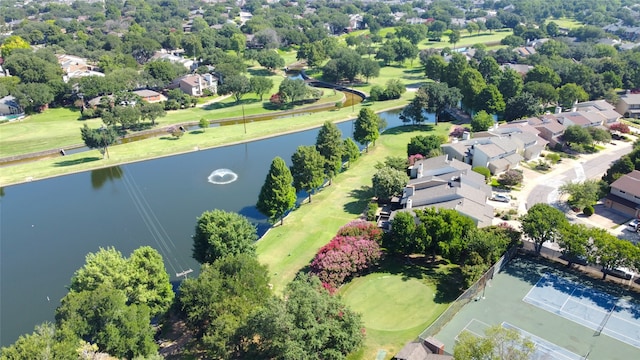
<point x="108" y="309"/>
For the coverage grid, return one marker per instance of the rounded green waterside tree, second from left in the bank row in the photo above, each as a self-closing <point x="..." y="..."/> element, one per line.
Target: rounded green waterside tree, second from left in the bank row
<point x="307" y="169"/>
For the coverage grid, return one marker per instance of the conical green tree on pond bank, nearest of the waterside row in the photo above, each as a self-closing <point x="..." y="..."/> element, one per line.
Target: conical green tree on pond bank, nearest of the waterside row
<point x="277" y="195"/>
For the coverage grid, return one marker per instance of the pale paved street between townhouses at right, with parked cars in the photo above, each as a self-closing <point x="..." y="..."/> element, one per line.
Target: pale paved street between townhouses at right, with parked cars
<point x="593" y="166"/>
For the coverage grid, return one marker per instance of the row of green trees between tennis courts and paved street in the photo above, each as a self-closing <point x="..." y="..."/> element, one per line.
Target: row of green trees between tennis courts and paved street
<point x="545" y="223"/>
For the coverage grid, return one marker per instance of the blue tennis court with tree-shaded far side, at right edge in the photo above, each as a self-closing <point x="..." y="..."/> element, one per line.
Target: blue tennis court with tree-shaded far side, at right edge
<point x="603" y="313"/>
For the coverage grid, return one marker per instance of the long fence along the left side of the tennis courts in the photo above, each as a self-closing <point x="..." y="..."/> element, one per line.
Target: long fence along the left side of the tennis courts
<point x="472" y="293"/>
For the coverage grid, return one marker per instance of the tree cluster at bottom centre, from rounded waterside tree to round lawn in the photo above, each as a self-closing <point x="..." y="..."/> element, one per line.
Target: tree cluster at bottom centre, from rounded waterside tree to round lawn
<point x="232" y="312"/>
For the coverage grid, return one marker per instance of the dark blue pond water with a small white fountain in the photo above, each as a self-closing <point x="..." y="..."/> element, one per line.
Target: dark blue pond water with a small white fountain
<point x="47" y="227"/>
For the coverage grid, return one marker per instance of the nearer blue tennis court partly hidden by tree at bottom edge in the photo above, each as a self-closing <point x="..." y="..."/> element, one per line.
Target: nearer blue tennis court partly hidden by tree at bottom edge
<point x="543" y="349"/>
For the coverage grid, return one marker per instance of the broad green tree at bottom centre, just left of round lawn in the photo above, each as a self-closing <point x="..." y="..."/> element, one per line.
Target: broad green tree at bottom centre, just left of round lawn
<point x="310" y="324"/>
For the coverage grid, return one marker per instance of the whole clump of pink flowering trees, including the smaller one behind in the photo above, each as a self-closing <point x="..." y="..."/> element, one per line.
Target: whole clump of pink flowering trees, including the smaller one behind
<point x="354" y="249"/>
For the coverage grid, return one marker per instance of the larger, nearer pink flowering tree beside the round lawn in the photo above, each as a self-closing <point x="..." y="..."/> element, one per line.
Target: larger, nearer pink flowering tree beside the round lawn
<point x="343" y="257"/>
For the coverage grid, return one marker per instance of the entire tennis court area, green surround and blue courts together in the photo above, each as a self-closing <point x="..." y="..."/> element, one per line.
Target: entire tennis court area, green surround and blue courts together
<point x="555" y="336"/>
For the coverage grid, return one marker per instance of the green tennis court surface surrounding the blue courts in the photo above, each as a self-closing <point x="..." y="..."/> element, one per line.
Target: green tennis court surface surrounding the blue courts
<point x="503" y="304"/>
